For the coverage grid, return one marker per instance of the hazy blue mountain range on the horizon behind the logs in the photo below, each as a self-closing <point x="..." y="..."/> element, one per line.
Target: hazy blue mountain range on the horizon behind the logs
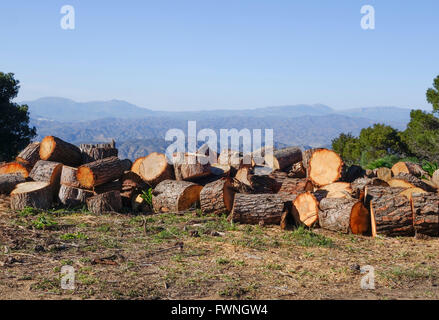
<point x="139" y="131"/>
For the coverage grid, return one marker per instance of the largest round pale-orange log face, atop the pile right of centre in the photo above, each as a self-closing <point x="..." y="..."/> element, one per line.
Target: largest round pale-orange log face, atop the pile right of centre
<point x="325" y="167"/>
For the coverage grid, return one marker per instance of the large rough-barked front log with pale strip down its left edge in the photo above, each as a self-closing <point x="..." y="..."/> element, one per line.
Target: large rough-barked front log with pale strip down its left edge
<point x="391" y="213"/>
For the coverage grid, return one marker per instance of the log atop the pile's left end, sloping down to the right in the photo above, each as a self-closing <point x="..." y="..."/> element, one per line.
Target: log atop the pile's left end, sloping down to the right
<point x="57" y="150"/>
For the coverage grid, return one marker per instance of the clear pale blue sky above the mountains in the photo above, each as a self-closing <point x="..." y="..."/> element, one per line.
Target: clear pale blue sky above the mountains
<point x="204" y="54"/>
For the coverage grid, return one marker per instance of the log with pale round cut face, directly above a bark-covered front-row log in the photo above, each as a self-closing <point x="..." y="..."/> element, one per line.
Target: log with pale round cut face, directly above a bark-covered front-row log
<point x="155" y="168"/>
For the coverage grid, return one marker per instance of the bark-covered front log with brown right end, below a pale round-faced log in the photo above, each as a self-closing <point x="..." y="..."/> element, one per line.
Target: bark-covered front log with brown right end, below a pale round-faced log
<point x="174" y="196"/>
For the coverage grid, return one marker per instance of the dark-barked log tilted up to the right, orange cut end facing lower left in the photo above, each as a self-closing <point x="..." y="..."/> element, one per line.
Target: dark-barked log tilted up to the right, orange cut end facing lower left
<point x="99" y="172"/>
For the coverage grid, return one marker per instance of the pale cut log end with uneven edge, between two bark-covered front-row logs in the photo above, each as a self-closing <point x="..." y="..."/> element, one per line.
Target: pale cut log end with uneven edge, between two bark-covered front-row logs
<point x="306" y="209"/>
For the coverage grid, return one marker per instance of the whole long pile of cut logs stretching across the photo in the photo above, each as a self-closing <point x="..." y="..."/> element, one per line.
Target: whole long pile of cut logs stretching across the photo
<point x="293" y="187"/>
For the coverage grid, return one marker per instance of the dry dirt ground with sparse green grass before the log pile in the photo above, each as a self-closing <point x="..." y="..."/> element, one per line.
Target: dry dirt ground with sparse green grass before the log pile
<point x="190" y="256"/>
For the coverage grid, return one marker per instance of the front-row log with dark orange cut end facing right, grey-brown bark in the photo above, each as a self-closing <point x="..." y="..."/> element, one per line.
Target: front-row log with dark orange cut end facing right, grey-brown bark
<point x="344" y="215"/>
